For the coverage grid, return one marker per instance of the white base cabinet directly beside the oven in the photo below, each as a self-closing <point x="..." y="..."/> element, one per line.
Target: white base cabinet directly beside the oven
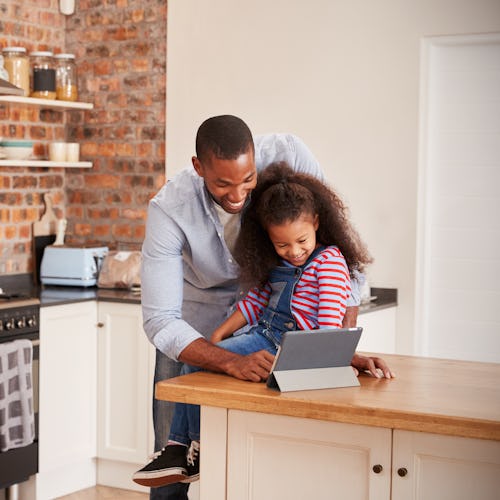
<point x="68" y="393"/>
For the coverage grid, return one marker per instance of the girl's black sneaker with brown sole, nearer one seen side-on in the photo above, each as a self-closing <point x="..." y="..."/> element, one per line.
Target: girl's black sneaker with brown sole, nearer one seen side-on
<point x="169" y="465"/>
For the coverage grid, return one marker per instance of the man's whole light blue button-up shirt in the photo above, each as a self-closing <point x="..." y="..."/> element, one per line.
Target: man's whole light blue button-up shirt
<point x="189" y="277"/>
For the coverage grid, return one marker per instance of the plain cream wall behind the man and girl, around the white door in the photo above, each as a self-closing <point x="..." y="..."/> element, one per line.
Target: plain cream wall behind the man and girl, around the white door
<point x="342" y="75"/>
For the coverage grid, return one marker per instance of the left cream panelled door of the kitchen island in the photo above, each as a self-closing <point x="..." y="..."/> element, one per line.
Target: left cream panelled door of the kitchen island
<point x="288" y="458"/>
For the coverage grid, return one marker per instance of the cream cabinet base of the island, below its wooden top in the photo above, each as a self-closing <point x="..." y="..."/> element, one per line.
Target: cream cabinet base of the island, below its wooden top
<point x="290" y="458"/>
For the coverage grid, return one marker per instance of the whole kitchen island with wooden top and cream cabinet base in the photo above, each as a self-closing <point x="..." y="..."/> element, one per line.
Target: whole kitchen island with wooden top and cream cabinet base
<point x="431" y="433"/>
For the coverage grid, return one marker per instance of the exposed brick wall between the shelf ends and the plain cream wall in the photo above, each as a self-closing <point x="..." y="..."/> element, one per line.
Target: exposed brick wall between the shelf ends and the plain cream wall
<point x="121" y="46"/>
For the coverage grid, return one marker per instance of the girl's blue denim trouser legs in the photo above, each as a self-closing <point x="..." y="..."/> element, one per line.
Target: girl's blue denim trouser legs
<point x="185" y="425"/>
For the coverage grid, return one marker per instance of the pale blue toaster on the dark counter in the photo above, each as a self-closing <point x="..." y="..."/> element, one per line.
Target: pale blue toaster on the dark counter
<point x="71" y="266"/>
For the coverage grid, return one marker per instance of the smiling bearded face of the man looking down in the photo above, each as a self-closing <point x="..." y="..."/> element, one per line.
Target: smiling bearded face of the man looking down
<point x="228" y="181"/>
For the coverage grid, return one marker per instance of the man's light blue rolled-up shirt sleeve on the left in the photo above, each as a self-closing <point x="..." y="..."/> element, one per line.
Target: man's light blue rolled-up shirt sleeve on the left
<point x="162" y="284"/>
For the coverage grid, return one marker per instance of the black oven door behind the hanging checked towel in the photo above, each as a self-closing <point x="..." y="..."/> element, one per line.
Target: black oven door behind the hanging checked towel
<point x="18" y="464"/>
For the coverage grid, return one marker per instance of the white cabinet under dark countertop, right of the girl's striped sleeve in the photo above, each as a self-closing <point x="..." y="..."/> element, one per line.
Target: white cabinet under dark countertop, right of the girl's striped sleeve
<point x="379" y="331"/>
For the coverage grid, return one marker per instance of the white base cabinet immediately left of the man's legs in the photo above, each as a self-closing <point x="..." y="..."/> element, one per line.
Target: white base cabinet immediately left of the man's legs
<point x="125" y="374"/>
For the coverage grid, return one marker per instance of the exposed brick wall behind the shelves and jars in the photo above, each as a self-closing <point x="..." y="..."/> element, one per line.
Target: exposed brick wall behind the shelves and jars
<point x="36" y="25"/>
